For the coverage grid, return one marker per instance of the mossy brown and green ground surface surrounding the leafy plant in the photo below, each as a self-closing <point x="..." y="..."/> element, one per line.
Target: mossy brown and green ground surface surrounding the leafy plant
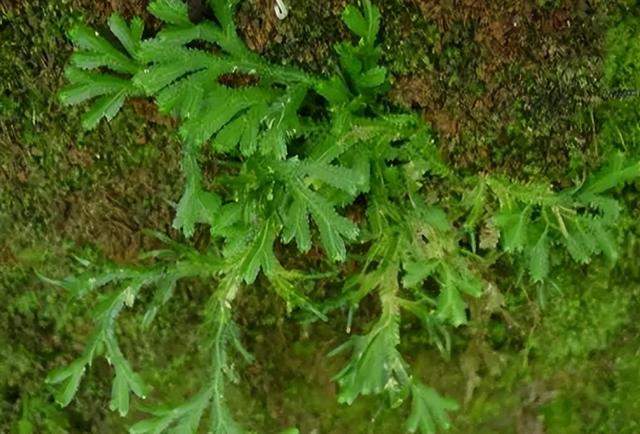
<point x="520" y="87"/>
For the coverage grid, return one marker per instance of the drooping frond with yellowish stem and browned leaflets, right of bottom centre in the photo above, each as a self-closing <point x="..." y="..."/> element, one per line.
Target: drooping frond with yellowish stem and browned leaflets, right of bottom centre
<point x="422" y="240"/>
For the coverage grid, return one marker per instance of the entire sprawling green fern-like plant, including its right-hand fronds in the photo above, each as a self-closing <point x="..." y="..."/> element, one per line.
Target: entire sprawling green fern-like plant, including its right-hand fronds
<point x="294" y="178"/>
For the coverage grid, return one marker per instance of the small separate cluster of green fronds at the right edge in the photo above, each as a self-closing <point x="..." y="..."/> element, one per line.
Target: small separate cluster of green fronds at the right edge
<point x="532" y="218"/>
